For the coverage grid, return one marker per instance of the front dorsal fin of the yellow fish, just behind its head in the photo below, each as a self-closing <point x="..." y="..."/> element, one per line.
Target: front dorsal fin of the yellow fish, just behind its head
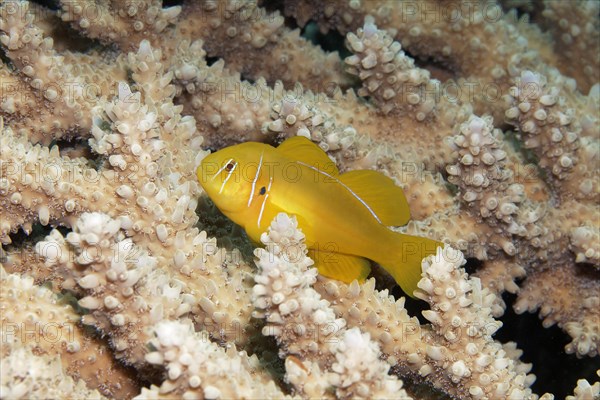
<point x="302" y="149"/>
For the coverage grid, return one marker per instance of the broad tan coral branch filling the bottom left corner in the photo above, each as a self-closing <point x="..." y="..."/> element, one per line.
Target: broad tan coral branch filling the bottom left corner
<point x="33" y="319"/>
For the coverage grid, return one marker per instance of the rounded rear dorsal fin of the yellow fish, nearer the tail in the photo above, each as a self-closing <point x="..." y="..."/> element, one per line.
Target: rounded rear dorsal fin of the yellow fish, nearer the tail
<point x="380" y="194"/>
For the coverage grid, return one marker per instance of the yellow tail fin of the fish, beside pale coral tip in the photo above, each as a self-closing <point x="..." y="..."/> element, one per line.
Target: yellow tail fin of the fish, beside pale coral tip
<point x="404" y="263"/>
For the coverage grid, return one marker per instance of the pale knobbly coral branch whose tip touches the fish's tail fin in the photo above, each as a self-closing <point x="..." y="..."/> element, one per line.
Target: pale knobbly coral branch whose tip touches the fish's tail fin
<point x="461" y="318"/>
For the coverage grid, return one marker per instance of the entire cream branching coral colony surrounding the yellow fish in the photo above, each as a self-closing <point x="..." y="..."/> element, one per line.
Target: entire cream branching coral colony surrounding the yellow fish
<point x="108" y="107"/>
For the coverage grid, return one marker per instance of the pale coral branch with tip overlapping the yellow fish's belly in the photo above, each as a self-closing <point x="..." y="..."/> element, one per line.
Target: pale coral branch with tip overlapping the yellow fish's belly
<point x="305" y="326"/>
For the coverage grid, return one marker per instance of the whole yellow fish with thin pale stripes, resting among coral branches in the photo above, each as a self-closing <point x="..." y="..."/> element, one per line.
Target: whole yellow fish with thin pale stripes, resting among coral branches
<point x="345" y="217"/>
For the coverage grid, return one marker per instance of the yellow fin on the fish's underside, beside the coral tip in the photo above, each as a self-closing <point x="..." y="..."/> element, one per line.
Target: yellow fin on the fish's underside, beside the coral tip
<point x="342" y="267"/>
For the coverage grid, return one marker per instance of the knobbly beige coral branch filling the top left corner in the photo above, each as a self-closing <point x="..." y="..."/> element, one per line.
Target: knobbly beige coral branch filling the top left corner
<point x="48" y="98"/>
